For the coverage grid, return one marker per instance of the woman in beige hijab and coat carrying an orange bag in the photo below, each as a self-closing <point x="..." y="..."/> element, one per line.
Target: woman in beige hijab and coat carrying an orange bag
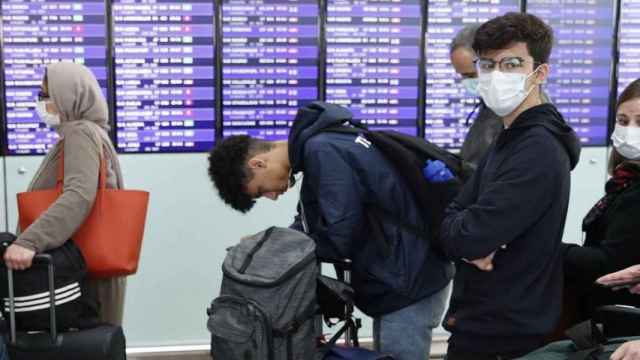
<point x="72" y="103"/>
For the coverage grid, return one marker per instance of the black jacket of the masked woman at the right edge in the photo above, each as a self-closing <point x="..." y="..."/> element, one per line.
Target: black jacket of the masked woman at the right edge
<point x="611" y="244"/>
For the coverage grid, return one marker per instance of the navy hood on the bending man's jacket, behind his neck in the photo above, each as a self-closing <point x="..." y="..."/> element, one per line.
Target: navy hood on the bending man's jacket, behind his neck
<point x="310" y="120"/>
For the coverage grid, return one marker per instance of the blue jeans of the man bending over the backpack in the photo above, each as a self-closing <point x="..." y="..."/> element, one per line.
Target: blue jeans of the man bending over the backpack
<point x="406" y="333"/>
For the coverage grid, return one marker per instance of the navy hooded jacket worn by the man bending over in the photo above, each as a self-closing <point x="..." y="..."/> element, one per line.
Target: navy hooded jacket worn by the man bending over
<point x="344" y="175"/>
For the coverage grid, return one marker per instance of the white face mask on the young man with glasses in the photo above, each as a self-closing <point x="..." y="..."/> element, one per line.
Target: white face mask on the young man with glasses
<point x="503" y="92"/>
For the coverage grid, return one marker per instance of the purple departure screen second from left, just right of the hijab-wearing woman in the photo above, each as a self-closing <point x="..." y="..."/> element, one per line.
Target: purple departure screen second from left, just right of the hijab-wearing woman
<point x="164" y="75"/>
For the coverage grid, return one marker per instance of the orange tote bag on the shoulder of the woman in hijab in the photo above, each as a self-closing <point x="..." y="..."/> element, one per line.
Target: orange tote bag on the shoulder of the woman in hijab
<point x="110" y="238"/>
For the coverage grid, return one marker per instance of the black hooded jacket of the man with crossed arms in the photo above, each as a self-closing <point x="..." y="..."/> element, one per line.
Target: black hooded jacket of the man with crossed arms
<point x="515" y="204"/>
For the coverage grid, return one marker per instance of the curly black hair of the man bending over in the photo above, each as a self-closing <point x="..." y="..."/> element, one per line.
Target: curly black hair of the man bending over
<point x="229" y="172"/>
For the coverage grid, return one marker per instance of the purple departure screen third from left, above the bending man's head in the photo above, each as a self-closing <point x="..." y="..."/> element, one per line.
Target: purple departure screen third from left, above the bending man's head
<point x="269" y="64"/>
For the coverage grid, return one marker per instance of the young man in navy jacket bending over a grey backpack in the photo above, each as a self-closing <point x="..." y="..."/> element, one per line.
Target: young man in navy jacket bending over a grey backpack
<point x="398" y="279"/>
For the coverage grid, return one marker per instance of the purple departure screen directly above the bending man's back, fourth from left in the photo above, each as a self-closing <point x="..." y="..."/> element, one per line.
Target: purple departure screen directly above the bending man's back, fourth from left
<point x="373" y="55"/>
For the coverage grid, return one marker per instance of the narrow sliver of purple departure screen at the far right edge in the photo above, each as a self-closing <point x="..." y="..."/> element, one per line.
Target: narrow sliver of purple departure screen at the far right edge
<point x="629" y="43"/>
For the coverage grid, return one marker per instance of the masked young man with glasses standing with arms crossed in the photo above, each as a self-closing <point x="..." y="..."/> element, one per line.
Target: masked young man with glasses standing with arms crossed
<point x="504" y="230"/>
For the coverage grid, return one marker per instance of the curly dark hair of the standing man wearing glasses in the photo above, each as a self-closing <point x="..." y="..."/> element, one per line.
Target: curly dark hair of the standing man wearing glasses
<point x="502" y="31"/>
